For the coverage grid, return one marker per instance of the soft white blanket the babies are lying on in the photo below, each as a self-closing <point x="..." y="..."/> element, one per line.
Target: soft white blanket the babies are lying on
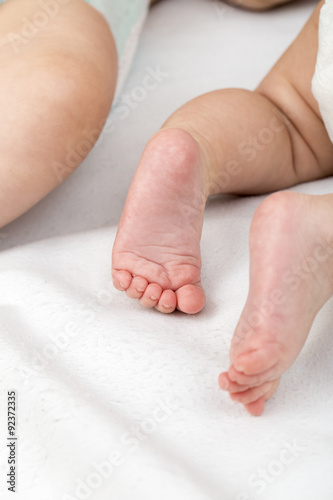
<point x="90" y="366"/>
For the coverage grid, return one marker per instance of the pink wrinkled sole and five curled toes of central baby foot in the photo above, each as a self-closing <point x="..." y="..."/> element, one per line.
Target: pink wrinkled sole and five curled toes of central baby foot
<point x="156" y="255"/>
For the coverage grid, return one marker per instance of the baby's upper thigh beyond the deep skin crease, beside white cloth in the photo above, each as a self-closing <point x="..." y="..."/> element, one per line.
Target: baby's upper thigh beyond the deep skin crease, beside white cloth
<point x="288" y="87"/>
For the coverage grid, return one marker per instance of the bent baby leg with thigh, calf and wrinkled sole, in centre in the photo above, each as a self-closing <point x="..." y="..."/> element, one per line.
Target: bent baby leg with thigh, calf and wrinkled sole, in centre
<point x="226" y="141"/>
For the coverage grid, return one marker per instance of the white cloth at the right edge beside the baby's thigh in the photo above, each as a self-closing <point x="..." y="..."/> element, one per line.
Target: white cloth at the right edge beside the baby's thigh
<point x="322" y="82"/>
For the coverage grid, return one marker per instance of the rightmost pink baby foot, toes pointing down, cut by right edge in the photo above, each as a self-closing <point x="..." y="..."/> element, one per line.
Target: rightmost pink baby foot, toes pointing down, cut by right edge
<point x="291" y="276"/>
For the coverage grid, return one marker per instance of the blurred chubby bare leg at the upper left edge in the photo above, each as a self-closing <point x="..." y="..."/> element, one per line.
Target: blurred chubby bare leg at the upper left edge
<point x="58" y="75"/>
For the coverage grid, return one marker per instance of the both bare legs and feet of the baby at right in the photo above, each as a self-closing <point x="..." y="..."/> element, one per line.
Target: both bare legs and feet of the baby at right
<point x="156" y="255"/>
